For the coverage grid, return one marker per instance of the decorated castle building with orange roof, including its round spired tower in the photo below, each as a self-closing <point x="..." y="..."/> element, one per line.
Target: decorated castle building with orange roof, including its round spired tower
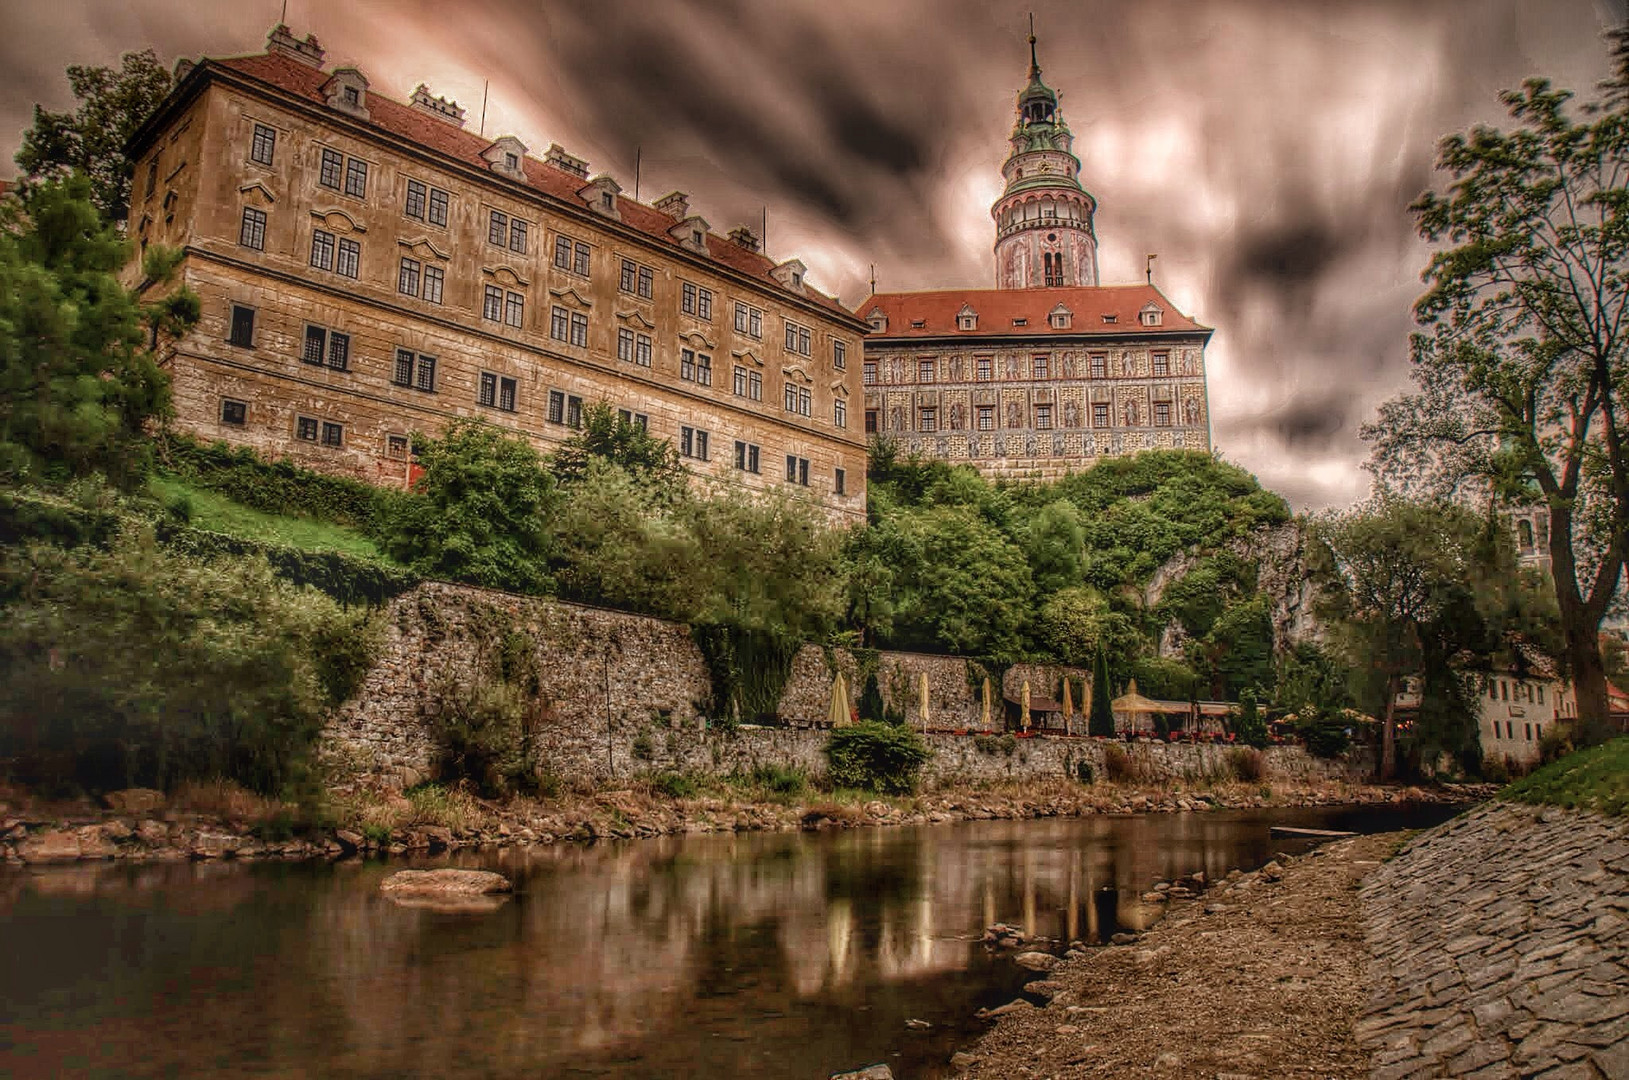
<point x="1050" y="371"/>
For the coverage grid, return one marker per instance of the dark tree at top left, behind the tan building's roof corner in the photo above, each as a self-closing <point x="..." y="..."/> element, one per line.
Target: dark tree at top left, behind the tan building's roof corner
<point x="92" y="139"/>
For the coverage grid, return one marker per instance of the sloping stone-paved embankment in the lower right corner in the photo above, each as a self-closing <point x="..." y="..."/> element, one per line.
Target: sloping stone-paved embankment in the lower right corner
<point x="1499" y="949"/>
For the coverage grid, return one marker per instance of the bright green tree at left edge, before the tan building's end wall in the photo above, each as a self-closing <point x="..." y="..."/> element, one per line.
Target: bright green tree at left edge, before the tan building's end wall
<point x="79" y="382"/>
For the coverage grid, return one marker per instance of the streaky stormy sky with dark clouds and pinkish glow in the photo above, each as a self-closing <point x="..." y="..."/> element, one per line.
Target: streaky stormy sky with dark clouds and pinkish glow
<point x="1265" y="149"/>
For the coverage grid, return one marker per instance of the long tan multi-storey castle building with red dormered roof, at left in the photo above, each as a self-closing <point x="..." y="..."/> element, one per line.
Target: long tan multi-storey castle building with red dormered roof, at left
<point x="372" y="268"/>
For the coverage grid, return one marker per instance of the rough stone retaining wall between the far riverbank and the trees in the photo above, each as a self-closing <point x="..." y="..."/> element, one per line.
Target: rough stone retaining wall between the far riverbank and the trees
<point x="621" y="695"/>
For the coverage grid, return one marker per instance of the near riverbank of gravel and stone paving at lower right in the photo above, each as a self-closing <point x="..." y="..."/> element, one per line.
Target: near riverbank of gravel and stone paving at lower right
<point x="1495" y="946"/>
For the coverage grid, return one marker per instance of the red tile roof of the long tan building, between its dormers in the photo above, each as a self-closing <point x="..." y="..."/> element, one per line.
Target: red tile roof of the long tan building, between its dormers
<point x="423" y="130"/>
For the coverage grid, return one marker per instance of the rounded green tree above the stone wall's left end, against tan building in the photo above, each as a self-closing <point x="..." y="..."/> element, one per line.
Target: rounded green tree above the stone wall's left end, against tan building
<point x="478" y="511"/>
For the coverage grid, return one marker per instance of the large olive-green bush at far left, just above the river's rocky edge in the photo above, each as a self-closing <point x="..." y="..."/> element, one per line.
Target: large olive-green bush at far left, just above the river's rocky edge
<point x="136" y="667"/>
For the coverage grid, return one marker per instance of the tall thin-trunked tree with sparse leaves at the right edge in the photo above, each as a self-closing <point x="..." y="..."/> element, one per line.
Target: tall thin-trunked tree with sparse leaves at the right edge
<point x="1522" y="362"/>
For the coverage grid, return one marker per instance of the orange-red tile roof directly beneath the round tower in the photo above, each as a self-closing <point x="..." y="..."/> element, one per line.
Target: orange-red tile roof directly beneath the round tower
<point x="999" y="307"/>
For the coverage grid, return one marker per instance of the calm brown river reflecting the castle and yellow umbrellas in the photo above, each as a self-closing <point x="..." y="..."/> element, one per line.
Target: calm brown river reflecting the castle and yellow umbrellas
<point x="750" y="955"/>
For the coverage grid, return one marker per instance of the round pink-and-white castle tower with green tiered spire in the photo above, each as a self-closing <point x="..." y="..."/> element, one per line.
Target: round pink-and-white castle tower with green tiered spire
<point x="1043" y="219"/>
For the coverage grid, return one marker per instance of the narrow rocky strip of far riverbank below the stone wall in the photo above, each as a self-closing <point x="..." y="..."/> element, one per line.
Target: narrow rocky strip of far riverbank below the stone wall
<point x="217" y="822"/>
